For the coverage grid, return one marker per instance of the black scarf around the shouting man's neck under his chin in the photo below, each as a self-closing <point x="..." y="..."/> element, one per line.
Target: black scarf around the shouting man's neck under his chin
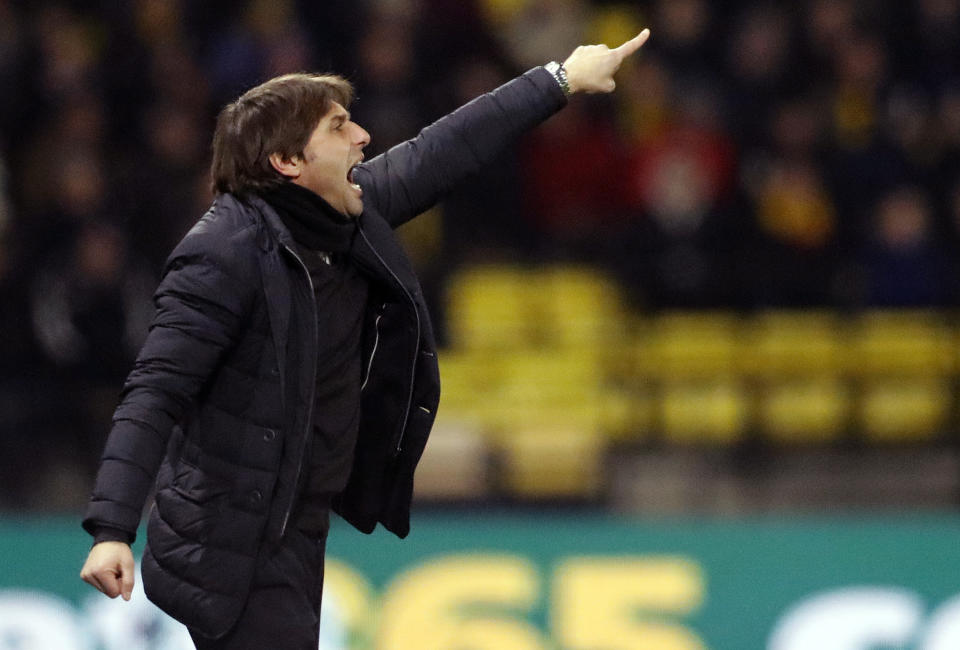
<point x="313" y="222"/>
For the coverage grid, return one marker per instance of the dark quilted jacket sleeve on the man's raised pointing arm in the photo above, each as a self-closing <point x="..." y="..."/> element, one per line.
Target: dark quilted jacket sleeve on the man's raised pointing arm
<point x="414" y="175"/>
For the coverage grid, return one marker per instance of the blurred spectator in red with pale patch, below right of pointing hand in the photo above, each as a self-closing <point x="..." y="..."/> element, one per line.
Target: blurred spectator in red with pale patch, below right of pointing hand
<point x="678" y="185"/>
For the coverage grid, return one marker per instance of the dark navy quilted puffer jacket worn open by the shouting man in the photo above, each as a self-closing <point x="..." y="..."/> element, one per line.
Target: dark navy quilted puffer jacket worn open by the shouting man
<point x="216" y="413"/>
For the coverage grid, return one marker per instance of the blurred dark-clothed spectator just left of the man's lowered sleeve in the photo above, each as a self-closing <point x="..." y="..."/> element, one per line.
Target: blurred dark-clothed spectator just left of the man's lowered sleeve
<point x="90" y="308"/>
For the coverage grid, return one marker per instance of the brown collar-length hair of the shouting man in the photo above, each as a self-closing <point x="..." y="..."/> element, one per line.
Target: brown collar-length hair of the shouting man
<point x="278" y="116"/>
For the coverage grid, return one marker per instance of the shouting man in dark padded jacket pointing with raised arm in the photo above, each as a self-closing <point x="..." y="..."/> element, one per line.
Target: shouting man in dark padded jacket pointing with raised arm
<point x="290" y="368"/>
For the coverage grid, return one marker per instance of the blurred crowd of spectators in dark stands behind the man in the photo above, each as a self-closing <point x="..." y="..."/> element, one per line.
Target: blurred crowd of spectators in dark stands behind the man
<point x="756" y="154"/>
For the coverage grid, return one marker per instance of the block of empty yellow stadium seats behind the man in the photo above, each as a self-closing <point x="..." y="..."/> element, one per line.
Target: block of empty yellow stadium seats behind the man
<point x="547" y="368"/>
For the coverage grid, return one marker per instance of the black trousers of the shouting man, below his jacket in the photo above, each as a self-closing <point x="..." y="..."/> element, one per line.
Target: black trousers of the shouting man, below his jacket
<point x="283" y="609"/>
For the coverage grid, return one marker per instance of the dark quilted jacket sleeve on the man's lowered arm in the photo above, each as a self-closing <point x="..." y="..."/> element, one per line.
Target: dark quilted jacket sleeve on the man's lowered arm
<point x="201" y="303"/>
